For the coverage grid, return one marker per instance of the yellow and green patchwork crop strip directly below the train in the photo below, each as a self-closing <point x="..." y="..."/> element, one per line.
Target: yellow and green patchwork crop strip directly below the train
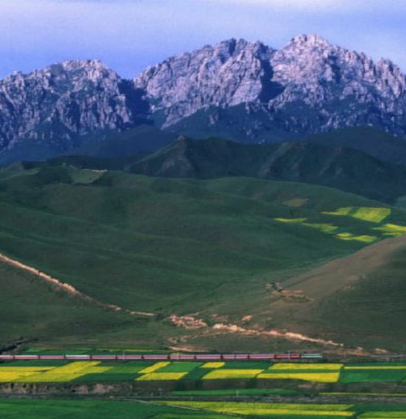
<point x="93" y="371"/>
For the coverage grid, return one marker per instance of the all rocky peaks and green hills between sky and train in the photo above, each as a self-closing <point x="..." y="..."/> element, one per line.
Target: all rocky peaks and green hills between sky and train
<point x="255" y="191"/>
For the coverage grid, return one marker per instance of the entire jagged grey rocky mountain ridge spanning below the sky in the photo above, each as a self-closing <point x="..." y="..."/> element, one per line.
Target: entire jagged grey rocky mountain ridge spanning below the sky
<point x="245" y="91"/>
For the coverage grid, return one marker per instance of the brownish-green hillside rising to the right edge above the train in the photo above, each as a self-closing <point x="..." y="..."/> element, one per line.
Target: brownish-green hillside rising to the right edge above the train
<point x="358" y="300"/>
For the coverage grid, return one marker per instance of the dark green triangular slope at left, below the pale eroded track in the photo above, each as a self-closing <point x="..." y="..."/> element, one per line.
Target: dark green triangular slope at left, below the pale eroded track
<point x="34" y="311"/>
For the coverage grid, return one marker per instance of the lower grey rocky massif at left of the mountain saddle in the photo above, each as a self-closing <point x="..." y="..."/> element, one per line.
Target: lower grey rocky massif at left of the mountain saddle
<point x="72" y="98"/>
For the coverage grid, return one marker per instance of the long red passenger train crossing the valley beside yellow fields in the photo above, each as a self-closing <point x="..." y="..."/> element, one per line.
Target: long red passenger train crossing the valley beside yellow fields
<point x="166" y="357"/>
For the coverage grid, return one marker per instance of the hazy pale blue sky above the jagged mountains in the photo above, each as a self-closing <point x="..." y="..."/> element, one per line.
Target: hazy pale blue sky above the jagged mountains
<point x="129" y="35"/>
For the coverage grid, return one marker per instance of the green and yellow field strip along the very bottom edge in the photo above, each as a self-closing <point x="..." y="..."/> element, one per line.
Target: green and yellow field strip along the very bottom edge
<point x="91" y="409"/>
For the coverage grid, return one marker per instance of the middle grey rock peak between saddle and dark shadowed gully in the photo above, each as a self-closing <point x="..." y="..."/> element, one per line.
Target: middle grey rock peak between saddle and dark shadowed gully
<point x="227" y="74"/>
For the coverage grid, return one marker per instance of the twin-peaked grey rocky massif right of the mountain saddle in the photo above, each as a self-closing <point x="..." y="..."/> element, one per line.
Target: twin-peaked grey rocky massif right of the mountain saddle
<point x="308" y="86"/>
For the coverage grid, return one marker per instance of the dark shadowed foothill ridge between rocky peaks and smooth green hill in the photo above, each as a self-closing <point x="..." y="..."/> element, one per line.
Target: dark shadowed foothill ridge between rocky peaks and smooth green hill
<point x="338" y="167"/>
